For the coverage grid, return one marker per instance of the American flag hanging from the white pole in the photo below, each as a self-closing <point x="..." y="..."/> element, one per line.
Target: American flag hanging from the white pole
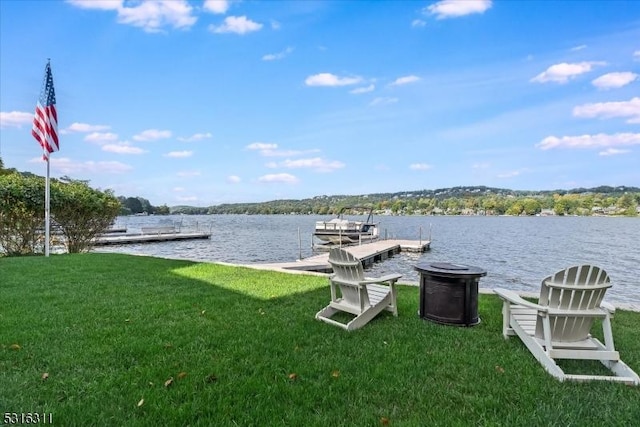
<point x="45" y="122"/>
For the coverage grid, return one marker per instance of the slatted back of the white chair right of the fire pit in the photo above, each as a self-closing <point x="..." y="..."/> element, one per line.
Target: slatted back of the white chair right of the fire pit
<point x="577" y="288"/>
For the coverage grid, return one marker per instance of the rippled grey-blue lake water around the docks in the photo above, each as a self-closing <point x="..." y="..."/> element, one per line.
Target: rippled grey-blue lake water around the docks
<point x="517" y="252"/>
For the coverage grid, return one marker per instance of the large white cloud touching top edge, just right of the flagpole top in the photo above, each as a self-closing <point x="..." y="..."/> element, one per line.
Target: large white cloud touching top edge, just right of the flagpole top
<point x="151" y="16"/>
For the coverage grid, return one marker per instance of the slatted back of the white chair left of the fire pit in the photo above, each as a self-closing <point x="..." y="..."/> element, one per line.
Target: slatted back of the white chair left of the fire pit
<point x="347" y="268"/>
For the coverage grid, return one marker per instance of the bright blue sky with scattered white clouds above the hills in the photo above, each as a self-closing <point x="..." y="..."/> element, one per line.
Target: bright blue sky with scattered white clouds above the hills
<point x="209" y="102"/>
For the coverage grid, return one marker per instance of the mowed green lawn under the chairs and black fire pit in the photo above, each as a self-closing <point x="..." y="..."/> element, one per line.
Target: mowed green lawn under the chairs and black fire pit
<point x="109" y="339"/>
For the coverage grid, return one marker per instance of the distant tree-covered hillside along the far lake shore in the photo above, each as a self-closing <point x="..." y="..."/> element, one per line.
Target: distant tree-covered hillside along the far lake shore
<point x="452" y="201"/>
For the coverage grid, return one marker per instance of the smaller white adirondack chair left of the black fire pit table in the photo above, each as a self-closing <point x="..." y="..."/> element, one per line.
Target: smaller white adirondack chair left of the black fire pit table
<point x="352" y="293"/>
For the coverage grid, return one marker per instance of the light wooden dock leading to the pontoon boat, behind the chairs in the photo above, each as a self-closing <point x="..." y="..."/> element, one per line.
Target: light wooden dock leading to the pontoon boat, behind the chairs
<point x="368" y="253"/>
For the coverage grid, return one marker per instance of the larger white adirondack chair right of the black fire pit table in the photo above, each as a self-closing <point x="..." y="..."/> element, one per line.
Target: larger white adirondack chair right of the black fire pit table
<point x="559" y="326"/>
